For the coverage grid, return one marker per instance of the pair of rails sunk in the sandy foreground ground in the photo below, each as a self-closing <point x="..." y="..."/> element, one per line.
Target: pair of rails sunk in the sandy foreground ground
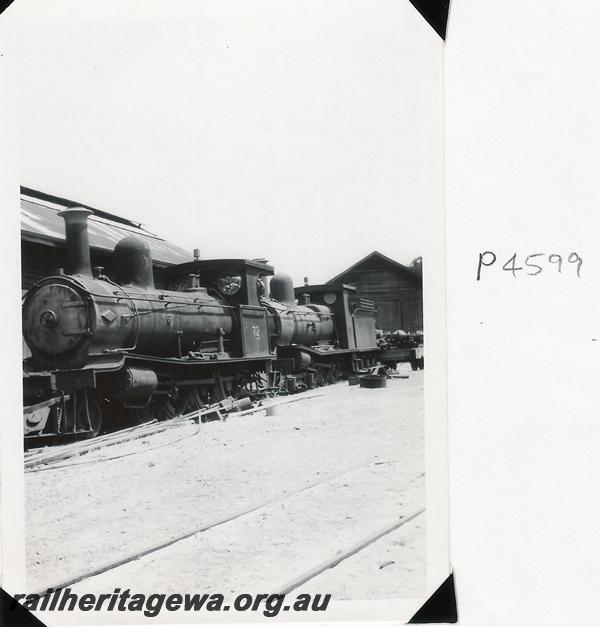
<point x="248" y="517"/>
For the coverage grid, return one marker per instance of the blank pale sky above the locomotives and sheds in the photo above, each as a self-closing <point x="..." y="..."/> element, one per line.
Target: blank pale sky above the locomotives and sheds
<point x="294" y="131"/>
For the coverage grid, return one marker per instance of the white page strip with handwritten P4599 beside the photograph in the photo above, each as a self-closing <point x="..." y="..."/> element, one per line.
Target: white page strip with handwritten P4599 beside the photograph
<point x="522" y="174"/>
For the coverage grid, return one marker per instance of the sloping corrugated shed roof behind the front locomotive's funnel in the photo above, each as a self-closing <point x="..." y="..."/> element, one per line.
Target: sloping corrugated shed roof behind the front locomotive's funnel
<point x="40" y="223"/>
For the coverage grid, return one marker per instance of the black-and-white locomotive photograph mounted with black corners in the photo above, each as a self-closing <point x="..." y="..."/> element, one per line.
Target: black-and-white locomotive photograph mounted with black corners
<point x="232" y="310"/>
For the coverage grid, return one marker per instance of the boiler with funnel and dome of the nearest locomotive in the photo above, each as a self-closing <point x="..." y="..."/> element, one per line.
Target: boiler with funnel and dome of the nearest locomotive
<point x="73" y="318"/>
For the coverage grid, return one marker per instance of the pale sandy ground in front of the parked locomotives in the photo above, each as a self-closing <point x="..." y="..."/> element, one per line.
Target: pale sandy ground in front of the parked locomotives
<point x="356" y="454"/>
